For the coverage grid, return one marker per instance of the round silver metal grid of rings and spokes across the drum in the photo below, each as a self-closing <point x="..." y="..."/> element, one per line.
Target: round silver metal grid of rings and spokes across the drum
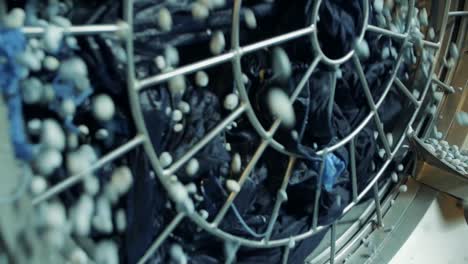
<point x="135" y="86"/>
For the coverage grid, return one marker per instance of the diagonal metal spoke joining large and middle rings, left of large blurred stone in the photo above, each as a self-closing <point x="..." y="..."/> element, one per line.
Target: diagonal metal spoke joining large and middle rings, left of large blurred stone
<point x="205" y="140"/>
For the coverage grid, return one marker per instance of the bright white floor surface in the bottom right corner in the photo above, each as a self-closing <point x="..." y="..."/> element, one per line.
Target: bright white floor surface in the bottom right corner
<point x="440" y="237"/>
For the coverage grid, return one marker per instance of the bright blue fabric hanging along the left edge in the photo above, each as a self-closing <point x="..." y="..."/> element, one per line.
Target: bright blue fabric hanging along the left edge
<point x="12" y="43"/>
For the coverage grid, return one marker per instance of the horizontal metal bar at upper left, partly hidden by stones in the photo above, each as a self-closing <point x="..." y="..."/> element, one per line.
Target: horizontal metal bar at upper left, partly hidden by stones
<point x="75" y="30"/>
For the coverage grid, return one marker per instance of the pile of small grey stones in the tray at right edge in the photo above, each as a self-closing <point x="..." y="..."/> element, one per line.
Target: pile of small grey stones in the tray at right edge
<point x="451" y="154"/>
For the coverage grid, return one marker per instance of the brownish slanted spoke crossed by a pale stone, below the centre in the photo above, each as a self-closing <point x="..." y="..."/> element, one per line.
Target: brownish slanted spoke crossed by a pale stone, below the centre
<point x="222" y="212"/>
